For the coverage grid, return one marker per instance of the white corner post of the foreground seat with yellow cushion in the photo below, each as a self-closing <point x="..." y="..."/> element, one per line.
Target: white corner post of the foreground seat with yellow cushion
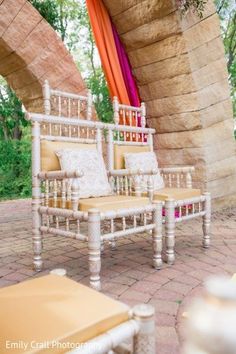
<point x="144" y="341"/>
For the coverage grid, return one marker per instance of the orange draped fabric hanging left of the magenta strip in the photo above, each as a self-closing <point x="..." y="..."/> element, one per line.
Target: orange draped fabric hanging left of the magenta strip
<point x="102" y="29"/>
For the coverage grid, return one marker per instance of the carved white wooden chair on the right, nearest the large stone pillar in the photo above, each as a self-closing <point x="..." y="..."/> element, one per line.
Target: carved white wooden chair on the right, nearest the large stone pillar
<point x="180" y="200"/>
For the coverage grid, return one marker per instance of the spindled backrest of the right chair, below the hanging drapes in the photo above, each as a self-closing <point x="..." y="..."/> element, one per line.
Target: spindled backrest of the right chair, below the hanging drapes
<point x="128" y="141"/>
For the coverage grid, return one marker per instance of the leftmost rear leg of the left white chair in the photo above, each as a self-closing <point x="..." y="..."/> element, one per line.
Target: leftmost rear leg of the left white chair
<point x="37" y="236"/>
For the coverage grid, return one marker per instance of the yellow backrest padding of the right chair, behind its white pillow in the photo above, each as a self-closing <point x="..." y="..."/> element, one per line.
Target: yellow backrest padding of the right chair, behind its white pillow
<point x="120" y="150"/>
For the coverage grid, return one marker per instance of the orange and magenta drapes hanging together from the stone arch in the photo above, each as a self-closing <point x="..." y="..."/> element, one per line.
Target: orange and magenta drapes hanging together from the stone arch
<point x="114" y="59"/>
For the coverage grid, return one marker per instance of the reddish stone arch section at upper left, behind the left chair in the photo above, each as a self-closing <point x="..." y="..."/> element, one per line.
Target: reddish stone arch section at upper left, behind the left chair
<point x="30" y="52"/>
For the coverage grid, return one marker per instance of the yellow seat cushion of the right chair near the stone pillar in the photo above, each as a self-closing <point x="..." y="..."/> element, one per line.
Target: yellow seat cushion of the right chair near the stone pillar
<point x="176" y="193"/>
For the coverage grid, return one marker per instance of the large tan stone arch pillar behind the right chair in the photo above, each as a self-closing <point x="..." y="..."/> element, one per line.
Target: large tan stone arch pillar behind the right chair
<point x="181" y="72"/>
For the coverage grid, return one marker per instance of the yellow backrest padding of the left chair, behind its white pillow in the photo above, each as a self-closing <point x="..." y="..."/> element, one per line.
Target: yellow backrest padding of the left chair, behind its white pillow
<point x="49" y="160"/>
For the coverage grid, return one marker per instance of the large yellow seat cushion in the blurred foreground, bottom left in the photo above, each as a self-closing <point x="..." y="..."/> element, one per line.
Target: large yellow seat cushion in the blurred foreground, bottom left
<point x="54" y="308"/>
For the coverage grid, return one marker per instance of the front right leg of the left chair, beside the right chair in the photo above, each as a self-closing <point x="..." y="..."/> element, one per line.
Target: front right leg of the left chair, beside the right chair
<point x="157" y="236"/>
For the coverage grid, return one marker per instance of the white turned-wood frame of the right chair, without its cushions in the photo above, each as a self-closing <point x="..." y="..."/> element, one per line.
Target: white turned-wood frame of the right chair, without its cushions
<point x="174" y="177"/>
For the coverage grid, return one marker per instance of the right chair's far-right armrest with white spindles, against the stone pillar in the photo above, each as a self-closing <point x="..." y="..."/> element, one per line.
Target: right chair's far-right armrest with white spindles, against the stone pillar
<point x="177" y="176"/>
